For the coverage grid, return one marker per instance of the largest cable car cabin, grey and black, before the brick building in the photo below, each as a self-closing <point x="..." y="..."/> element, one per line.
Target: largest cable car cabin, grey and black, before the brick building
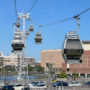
<point x="73" y="49"/>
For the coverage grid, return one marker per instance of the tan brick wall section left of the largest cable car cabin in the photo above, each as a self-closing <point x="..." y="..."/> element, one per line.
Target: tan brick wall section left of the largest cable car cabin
<point x="53" y="57"/>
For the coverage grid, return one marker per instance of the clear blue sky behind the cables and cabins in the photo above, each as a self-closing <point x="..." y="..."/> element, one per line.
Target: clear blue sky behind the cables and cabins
<point x="44" y="12"/>
